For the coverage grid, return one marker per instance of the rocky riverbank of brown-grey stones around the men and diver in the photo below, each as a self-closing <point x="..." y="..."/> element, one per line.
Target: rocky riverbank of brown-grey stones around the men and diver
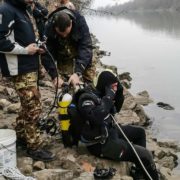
<point x="77" y="163"/>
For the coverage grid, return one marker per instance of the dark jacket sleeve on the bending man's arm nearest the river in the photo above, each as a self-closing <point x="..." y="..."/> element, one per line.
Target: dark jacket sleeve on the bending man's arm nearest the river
<point x="84" y="57"/>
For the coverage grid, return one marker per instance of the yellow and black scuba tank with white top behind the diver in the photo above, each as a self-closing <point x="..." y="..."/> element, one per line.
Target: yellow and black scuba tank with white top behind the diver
<point x="64" y="118"/>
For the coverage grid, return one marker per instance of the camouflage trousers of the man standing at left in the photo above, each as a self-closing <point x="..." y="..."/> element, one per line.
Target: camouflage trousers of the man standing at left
<point x="26" y="123"/>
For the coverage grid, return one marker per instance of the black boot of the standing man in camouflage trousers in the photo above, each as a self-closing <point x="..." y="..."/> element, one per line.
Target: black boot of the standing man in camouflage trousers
<point x="41" y="155"/>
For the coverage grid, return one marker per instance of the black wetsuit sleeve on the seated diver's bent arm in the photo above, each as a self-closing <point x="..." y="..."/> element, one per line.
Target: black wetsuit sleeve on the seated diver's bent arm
<point x="93" y="112"/>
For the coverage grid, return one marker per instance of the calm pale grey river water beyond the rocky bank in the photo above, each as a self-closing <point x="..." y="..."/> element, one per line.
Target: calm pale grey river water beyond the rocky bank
<point x="146" y="45"/>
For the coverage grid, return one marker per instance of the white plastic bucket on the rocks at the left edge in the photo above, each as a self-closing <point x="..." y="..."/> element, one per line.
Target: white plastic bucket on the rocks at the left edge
<point x="7" y="148"/>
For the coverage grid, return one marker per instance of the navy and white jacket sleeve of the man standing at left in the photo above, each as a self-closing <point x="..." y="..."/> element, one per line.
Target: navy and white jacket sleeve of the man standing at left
<point x="7" y="41"/>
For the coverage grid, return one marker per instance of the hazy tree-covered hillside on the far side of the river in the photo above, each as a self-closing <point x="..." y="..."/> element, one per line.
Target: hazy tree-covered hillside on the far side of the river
<point x="146" y="5"/>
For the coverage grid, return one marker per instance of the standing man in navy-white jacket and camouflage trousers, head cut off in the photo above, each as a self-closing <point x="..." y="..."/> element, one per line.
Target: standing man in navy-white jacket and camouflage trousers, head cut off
<point x="19" y="60"/>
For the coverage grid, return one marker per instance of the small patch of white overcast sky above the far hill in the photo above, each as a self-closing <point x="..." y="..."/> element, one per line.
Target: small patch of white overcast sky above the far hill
<point x="100" y="3"/>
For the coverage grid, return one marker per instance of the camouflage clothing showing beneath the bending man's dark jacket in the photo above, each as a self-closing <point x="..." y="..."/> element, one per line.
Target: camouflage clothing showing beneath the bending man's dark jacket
<point x="66" y="59"/>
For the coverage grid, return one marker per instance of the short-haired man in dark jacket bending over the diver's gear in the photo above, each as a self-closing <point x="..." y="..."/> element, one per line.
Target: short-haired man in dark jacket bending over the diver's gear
<point x="69" y="41"/>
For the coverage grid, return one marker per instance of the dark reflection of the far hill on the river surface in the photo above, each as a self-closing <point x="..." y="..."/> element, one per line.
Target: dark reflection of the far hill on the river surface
<point x="162" y="22"/>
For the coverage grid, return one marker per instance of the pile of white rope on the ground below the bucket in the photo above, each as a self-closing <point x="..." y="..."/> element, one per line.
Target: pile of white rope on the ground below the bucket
<point x="15" y="174"/>
